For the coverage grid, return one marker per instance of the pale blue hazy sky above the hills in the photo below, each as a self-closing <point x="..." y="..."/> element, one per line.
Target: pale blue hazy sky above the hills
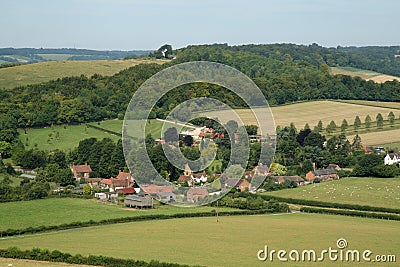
<point x="148" y="24"/>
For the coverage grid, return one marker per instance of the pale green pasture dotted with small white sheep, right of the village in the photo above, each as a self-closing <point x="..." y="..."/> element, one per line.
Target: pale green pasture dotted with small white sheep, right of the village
<point x="379" y="192"/>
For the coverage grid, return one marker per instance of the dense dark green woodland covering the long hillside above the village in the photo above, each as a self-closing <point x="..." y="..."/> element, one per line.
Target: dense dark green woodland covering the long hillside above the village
<point x="284" y="73"/>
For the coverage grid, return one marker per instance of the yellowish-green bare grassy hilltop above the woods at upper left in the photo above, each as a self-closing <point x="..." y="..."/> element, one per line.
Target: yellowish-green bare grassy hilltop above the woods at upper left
<point x="46" y="71"/>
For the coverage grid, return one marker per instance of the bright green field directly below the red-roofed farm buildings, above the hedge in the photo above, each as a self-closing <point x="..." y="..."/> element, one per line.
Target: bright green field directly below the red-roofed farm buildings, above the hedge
<point x="55" y="211"/>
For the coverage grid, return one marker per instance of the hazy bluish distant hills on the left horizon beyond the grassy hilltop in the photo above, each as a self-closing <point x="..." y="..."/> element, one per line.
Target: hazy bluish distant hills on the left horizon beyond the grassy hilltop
<point x="34" y="55"/>
